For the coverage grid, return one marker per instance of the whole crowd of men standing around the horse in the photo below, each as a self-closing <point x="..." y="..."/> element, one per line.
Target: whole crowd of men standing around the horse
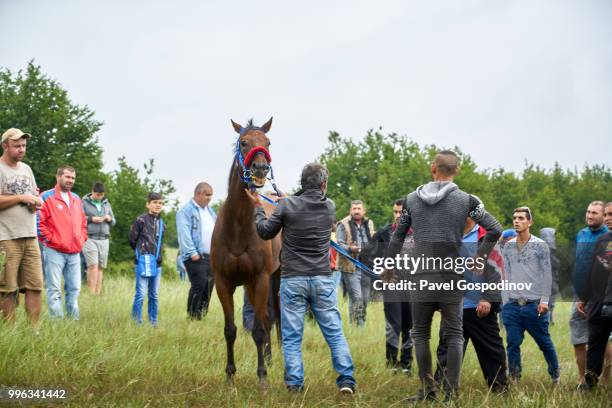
<point x="50" y="231"/>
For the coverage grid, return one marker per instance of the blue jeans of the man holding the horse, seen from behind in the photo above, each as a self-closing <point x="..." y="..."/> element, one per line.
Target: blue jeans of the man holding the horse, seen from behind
<point x="296" y="293"/>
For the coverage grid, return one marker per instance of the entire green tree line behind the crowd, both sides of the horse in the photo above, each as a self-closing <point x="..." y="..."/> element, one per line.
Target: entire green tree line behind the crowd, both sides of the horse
<point x="376" y="169"/>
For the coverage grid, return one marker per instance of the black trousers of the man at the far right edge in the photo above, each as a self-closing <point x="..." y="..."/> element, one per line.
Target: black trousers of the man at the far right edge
<point x="599" y="331"/>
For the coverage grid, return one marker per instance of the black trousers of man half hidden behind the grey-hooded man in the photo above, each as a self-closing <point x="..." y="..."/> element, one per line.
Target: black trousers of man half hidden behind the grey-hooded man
<point x="489" y="346"/>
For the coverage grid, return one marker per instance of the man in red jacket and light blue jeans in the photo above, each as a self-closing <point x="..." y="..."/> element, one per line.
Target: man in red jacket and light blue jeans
<point x="62" y="229"/>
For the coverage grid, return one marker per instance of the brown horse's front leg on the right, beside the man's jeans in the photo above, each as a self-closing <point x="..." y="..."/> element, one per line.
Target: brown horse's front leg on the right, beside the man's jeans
<point x="260" y="335"/>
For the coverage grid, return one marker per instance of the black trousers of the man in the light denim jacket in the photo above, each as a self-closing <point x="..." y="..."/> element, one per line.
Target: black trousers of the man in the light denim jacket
<point x="202" y="283"/>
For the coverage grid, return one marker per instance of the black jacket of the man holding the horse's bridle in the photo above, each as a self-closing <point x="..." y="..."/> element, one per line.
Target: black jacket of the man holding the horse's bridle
<point x="306" y="221"/>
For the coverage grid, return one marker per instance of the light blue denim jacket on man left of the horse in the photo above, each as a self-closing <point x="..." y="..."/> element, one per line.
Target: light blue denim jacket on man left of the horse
<point x="188" y="225"/>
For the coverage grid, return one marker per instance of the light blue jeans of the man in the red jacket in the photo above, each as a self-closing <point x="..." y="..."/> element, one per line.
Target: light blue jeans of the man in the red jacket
<point x="57" y="265"/>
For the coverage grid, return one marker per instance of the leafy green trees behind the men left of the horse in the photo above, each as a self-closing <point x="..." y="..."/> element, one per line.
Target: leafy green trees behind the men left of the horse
<point x="66" y="133"/>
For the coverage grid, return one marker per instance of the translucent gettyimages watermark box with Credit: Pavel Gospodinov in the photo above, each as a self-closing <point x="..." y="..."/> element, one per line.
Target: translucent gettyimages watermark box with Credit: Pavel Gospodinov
<point x="426" y="269"/>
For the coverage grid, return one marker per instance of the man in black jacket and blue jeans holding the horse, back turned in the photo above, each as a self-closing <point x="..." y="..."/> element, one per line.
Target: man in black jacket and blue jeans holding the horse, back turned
<point x="306" y="220"/>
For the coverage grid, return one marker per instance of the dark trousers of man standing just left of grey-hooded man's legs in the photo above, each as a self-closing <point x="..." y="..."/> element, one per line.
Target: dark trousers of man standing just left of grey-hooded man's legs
<point x="398" y="320"/>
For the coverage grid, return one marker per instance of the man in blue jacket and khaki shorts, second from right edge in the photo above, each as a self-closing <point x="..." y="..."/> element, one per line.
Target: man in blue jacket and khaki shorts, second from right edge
<point x="585" y="244"/>
